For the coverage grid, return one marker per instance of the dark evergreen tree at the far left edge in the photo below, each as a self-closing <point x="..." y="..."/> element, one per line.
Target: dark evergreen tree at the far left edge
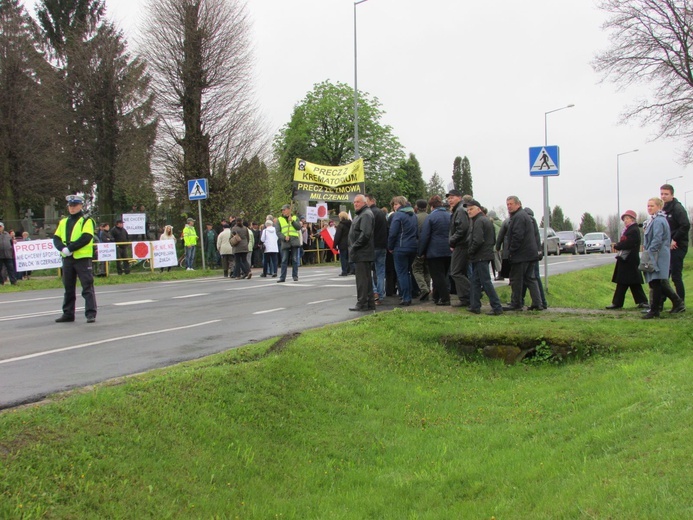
<point x="32" y="118"/>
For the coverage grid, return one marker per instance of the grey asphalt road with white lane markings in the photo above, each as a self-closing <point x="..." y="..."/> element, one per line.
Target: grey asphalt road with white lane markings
<point x="144" y="326"/>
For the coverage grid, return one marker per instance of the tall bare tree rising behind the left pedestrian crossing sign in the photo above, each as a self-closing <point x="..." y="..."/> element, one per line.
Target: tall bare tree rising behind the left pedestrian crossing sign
<point x="201" y="63"/>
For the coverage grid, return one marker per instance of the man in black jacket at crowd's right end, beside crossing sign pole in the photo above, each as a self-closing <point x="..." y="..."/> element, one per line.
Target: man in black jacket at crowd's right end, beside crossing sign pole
<point x="522" y="252"/>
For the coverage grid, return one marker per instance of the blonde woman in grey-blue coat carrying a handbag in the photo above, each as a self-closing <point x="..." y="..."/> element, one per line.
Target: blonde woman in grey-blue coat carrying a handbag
<point x="655" y="259"/>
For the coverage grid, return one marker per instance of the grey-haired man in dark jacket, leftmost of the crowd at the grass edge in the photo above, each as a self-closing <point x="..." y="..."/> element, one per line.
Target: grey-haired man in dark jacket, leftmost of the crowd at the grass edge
<point x="362" y="254"/>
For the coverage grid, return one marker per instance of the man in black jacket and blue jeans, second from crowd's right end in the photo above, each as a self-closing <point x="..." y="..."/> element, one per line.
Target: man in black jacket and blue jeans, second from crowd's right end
<point x="483" y="238"/>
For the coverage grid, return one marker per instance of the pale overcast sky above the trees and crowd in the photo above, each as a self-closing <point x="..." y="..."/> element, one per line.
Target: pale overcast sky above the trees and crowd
<point x="470" y="79"/>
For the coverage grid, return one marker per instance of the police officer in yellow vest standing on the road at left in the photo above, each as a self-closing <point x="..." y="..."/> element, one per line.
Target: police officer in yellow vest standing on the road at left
<point x="74" y="239"/>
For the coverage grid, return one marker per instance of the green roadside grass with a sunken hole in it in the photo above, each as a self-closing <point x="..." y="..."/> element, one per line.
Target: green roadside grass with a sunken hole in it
<point x="378" y="418"/>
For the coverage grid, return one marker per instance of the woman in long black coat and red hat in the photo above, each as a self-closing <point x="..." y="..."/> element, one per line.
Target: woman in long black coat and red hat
<point x="626" y="274"/>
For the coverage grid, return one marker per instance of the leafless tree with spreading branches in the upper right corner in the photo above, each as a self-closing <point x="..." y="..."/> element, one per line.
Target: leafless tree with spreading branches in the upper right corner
<point x="651" y="42"/>
